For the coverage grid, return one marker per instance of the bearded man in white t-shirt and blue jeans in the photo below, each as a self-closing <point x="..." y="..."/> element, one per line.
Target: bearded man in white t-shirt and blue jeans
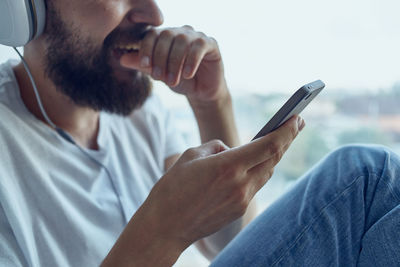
<point x="92" y="196"/>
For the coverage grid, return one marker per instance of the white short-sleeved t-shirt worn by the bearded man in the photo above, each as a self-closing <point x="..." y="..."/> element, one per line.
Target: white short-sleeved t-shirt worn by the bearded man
<point x="57" y="206"/>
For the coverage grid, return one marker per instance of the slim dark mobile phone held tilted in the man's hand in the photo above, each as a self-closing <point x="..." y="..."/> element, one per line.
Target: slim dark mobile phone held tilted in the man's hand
<point x="296" y="103"/>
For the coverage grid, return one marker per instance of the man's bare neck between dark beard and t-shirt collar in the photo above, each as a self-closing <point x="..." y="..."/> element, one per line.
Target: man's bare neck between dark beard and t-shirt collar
<point x="81" y="123"/>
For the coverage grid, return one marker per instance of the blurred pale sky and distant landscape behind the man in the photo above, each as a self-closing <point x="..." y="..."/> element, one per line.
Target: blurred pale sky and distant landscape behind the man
<point x="271" y="48"/>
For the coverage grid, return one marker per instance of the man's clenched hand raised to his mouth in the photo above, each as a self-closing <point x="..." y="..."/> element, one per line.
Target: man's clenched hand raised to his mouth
<point x="188" y="61"/>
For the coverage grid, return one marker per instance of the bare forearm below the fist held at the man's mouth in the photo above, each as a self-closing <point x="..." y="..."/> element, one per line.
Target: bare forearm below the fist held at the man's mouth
<point x="215" y="120"/>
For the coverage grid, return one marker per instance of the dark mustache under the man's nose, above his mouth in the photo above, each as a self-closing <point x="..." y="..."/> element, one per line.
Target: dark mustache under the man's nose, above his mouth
<point x="126" y="36"/>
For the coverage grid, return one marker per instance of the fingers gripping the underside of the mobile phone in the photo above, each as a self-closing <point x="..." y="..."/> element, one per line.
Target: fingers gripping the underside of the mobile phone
<point x="270" y="147"/>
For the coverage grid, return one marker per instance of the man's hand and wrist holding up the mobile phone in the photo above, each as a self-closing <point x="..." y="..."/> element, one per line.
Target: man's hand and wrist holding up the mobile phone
<point x="207" y="188"/>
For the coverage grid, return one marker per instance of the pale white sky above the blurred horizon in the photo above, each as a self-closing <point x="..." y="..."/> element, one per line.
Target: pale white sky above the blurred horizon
<point x="270" y="46"/>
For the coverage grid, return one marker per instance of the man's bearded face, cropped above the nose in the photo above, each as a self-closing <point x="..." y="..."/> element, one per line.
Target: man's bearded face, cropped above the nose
<point x="82" y="58"/>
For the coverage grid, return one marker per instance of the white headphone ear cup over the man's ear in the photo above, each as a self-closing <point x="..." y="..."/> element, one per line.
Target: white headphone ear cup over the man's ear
<point x="21" y="21"/>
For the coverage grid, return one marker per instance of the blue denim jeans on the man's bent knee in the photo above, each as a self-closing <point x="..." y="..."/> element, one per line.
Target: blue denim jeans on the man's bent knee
<point x="344" y="212"/>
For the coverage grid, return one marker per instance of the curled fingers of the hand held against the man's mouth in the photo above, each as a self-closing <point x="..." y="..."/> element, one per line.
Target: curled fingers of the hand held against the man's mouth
<point x="172" y="54"/>
